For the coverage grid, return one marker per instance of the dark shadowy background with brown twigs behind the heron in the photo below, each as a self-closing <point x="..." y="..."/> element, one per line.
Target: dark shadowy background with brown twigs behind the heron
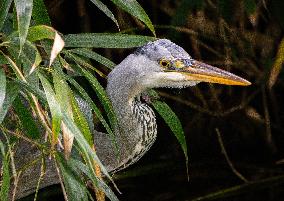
<point x="242" y="37"/>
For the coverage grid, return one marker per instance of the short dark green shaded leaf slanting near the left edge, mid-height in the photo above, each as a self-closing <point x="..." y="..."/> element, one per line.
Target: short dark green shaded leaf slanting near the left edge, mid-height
<point x="27" y="121"/>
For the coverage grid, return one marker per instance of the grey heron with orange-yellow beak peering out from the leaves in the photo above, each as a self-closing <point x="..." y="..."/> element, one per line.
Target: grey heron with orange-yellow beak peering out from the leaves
<point x="161" y="63"/>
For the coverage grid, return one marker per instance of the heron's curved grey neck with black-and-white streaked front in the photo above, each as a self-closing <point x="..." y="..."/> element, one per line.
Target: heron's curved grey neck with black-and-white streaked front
<point x="137" y="125"/>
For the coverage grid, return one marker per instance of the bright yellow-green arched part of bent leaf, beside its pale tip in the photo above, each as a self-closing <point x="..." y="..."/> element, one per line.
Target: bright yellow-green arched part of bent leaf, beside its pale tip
<point x="40" y="32"/>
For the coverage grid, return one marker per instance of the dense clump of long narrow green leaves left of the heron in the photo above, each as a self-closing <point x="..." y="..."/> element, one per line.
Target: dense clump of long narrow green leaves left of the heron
<point x="36" y="90"/>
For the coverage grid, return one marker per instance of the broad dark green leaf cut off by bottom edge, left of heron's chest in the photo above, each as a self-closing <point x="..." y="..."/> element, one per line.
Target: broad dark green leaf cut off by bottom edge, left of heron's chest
<point x="75" y="188"/>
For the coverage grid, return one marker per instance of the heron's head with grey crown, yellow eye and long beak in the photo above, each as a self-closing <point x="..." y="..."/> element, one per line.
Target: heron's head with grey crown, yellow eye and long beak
<point x="169" y="65"/>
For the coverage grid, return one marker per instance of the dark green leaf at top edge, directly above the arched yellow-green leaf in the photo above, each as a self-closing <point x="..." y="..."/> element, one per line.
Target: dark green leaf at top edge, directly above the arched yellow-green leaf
<point x="40" y="14"/>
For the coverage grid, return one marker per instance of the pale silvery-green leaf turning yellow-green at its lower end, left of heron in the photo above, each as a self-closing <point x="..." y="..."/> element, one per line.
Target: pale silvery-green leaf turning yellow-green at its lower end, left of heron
<point x="54" y="108"/>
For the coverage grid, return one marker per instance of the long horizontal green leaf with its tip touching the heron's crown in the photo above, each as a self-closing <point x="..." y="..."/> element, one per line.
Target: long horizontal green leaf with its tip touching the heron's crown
<point x="105" y="40"/>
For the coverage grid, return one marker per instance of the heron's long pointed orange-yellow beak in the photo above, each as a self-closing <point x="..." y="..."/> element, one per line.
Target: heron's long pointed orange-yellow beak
<point x="202" y="72"/>
